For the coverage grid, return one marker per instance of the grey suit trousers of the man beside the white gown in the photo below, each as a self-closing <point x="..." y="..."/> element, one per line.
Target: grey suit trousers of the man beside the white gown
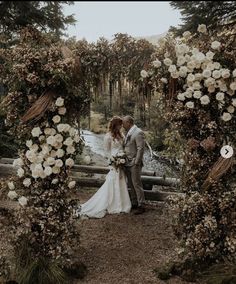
<point x="134" y="182"/>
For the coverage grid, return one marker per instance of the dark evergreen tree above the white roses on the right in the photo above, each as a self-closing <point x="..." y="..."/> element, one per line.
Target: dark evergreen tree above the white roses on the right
<point x="211" y="13"/>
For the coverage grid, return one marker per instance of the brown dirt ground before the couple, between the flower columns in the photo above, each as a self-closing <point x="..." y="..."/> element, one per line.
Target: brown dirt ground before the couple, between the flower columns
<point x="126" y="248"/>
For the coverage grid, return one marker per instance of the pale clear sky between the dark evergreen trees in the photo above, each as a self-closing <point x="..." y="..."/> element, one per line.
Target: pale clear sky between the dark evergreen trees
<point x="104" y="19"/>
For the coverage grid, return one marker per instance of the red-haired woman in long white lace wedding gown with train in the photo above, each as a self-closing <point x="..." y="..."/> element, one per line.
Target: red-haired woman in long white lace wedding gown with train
<point x="112" y="197"/>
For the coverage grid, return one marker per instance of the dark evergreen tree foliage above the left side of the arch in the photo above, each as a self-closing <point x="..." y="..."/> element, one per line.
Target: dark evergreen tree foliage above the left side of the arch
<point x="44" y="15"/>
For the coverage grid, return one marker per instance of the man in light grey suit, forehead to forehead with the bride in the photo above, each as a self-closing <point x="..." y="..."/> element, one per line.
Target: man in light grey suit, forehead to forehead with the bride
<point x="134" y="148"/>
